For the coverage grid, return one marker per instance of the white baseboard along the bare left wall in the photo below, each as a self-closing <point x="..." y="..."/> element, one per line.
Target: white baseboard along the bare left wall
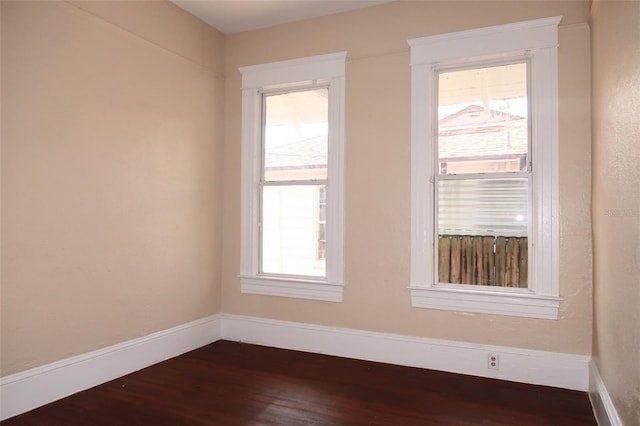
<point x="32" y="388"/>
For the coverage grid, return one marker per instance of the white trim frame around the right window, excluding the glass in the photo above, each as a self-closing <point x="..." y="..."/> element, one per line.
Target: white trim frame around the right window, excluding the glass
<point x="538" y="40"/>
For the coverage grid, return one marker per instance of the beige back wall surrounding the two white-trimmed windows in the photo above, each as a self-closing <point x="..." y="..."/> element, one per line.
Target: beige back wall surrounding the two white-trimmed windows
<point x="377" y="222"/>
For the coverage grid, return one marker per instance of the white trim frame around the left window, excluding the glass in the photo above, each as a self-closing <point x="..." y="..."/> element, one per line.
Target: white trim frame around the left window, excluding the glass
<point x="292" y="73"/>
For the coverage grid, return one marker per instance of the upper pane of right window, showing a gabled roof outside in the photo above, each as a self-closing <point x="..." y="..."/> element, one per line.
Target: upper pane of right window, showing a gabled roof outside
<point x="483" y="120"/>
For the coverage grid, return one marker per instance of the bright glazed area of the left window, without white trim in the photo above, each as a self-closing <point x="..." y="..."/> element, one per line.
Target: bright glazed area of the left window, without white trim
<point x="294" y="170"/>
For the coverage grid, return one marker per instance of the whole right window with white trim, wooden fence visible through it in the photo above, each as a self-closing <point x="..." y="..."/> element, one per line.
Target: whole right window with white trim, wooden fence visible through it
<point x="484" y="192"/>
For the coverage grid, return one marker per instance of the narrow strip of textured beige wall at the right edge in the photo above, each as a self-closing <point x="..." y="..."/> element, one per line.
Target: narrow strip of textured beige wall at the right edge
<point x="616" y="201"/>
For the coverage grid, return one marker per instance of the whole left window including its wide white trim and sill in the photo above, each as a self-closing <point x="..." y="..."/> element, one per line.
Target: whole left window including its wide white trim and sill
<point x="292" y="178"/>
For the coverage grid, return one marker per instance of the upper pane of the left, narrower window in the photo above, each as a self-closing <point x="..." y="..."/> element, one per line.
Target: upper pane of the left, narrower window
<point x="295" y="135"/>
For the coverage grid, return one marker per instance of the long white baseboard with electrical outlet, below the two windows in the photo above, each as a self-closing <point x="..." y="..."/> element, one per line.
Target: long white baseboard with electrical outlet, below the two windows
<point x="519" y="365"/>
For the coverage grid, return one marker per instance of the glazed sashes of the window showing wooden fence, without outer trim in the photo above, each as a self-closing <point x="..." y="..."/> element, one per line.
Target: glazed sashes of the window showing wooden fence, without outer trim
<point x="482" y="175"/>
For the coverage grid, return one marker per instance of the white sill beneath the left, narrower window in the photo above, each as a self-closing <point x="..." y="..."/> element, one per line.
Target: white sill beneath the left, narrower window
<point x="296" y="288"/>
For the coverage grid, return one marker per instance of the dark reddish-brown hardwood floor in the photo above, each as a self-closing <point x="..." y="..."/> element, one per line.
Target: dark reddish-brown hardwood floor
<point x="229" y="383"/>
